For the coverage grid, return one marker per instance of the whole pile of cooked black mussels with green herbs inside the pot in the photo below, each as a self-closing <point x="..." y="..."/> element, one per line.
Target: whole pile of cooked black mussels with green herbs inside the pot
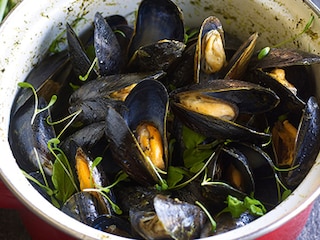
<point x="187" y="124"/>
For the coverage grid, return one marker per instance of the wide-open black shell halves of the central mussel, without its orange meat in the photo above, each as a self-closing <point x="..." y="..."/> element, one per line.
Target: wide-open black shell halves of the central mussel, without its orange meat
<point x="146" y="103"/>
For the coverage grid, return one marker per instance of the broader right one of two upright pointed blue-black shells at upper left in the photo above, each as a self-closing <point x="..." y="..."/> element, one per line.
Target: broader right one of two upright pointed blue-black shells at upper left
<point x="107" y="48"/>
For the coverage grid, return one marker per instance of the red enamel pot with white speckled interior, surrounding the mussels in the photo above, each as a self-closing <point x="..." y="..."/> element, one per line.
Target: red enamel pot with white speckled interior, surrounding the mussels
<point x="27" y="33"/>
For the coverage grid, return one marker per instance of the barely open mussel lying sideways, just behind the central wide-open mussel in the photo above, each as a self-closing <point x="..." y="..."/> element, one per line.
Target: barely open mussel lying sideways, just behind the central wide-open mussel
<point x="96" y="96"/>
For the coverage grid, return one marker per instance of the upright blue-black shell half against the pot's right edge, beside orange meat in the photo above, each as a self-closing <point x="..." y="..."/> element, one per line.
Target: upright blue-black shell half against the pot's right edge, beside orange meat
<point x="307" y="143"/>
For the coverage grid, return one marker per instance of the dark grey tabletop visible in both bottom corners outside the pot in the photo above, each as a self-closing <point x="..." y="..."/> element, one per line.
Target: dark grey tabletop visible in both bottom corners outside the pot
<point x="11" y="227"/>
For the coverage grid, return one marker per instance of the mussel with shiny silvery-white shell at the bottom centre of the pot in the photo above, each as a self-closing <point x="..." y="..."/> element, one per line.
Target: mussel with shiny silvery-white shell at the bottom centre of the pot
<point x="170" y="218"/>
